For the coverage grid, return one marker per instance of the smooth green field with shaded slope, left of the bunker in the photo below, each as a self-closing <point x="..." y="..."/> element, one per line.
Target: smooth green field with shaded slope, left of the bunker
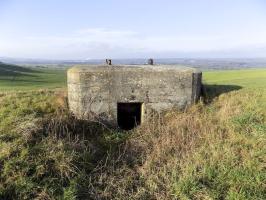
<point x="14" y="77"/>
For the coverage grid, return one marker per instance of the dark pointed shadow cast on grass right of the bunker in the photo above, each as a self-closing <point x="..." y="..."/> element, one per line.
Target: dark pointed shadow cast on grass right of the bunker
<point x="211" y="91"/>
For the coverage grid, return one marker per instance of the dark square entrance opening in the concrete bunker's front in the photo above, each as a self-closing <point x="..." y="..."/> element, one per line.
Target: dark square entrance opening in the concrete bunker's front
<point x="128" y="115"/>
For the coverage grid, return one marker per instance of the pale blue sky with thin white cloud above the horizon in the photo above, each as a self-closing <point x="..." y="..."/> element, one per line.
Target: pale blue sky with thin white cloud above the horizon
<point x="90" y="29"/>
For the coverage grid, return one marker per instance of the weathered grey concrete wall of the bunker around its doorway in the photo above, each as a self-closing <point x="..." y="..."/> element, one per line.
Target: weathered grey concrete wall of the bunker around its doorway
<point x="96" y="89"/>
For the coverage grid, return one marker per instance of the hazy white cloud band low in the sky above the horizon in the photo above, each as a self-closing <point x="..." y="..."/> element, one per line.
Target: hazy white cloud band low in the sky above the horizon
<point x="103" y="43"/>
